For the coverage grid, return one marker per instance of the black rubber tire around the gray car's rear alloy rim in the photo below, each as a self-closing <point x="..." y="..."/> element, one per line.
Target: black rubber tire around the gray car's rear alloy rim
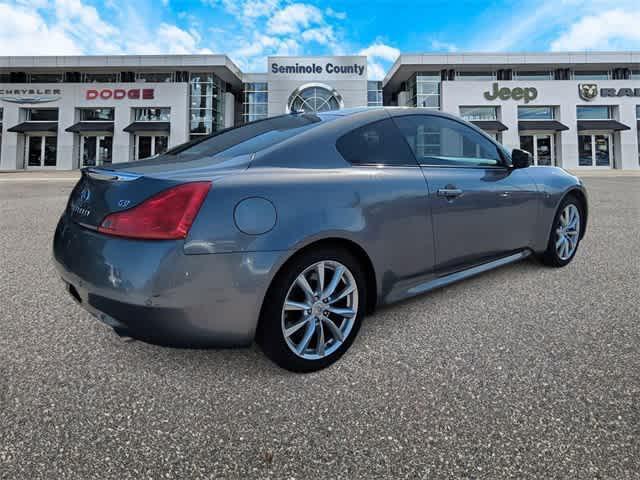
<point x="270" y="334"/>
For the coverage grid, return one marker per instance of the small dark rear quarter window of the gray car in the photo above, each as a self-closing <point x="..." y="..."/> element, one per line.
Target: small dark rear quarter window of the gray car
<point x="377" y="143"/>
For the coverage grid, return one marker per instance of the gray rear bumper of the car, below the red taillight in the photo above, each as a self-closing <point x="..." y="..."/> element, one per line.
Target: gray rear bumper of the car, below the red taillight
<point x="152" y="291"/>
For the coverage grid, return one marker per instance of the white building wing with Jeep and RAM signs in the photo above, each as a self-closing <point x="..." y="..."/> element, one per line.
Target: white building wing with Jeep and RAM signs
<point x="573" y="110"/>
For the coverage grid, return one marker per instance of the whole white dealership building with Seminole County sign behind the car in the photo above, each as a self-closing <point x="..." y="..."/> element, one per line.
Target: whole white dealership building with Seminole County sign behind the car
<point x="573" y="110"/>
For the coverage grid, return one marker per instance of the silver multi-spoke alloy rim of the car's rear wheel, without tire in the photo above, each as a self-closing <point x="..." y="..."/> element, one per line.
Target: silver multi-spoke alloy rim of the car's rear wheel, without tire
<point x="319" y="310"/>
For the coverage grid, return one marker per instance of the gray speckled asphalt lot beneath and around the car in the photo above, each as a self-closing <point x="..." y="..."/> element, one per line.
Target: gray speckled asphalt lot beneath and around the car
<point x="519" y="373"/>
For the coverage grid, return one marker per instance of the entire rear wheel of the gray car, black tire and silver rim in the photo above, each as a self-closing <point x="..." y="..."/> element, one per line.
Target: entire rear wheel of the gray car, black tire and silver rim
<point x="313" y="310"/>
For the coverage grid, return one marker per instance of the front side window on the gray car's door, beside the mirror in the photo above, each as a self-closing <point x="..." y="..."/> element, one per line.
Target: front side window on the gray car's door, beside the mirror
<point x="442" y="141"/>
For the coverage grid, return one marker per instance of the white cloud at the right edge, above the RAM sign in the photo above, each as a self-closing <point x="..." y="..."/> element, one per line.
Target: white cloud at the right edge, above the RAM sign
<point x="614" y="29"/>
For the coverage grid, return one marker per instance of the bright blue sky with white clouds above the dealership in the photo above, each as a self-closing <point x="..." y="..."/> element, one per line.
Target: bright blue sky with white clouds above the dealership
<point x="250" y="30"/>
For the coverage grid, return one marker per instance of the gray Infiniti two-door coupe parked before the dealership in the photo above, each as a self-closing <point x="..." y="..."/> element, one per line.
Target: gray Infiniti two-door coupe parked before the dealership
<point x="289" y="230"/>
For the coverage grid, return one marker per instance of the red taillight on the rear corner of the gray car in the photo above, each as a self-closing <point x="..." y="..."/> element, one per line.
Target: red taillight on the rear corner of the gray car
<point x="165" y="216"/>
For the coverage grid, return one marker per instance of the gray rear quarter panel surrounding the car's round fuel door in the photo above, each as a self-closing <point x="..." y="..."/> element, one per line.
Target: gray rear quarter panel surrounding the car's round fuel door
<point x="385" y="211"/>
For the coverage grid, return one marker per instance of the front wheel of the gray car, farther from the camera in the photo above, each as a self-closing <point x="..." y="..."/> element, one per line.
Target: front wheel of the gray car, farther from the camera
<point x="565" y="233"/>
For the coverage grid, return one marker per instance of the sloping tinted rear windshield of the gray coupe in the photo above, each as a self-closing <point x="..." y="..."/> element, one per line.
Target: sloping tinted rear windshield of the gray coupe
<point x="248" y="138"/>
